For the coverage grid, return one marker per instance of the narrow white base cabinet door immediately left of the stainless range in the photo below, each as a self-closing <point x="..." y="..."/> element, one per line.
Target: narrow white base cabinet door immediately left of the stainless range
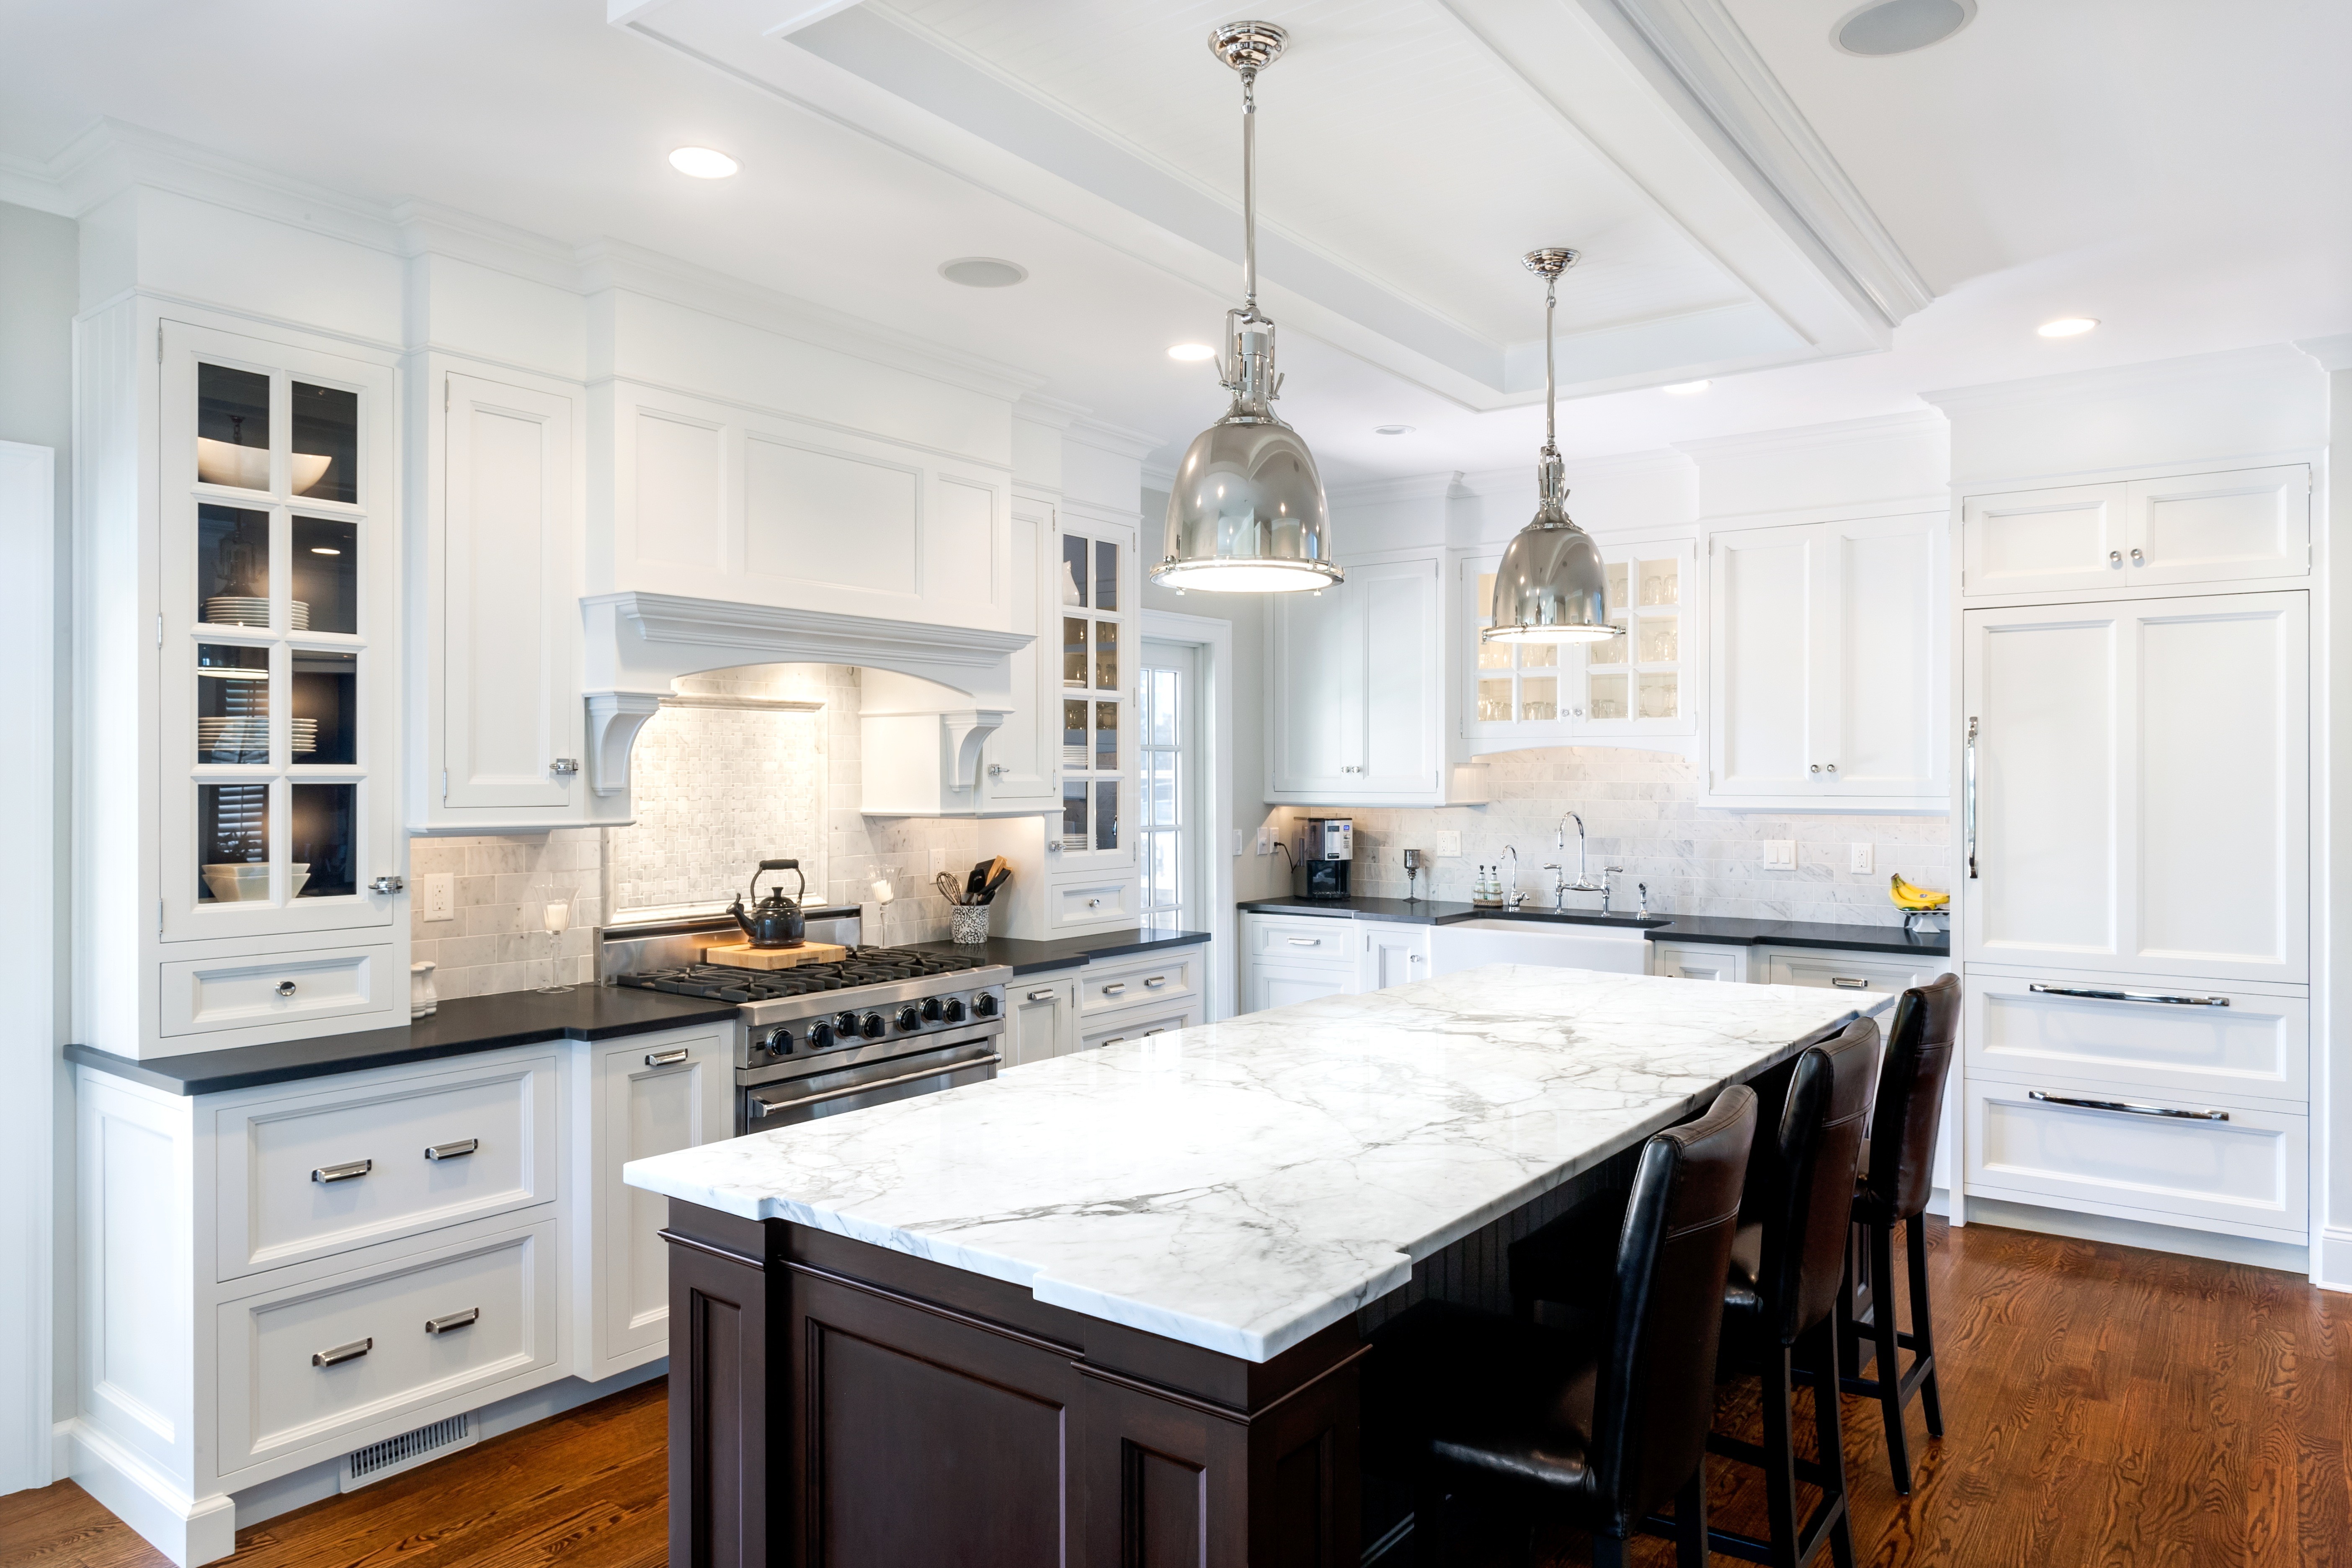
<point x="636" y="1097"/>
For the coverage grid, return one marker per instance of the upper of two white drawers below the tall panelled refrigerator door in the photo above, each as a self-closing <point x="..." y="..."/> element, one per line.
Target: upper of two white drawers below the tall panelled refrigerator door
<point x="2137" y="1043"/>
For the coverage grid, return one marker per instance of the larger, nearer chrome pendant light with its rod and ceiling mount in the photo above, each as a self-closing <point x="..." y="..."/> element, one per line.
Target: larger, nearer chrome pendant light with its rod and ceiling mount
<point x="1248" y="509"/>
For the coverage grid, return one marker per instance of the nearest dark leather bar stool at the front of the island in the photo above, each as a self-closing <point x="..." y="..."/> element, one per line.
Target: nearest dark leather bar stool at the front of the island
<point x="1605" y="1421"/>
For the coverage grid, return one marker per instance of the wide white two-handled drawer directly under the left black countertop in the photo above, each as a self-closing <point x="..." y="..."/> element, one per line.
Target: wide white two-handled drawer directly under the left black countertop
<point x="314" y="1174"/>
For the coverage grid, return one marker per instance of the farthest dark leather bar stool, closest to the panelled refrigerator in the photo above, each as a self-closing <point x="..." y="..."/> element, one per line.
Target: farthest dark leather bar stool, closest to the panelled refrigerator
<point x="1899" y="1167"/>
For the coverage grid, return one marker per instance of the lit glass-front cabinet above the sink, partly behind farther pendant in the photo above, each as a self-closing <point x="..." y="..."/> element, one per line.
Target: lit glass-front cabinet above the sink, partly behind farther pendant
<point x="1626" y="685"/>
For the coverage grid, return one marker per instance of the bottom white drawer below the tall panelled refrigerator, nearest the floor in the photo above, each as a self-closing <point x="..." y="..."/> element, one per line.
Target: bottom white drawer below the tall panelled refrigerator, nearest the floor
<point x="2240" y="1174"/>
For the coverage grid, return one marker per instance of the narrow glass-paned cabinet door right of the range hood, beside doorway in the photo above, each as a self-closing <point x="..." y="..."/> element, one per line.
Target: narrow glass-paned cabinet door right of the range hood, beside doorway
<point x="1097" y="650"/>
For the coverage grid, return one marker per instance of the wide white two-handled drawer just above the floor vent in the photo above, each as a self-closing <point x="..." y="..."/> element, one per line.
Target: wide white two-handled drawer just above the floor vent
<point x="319" y="1362"/>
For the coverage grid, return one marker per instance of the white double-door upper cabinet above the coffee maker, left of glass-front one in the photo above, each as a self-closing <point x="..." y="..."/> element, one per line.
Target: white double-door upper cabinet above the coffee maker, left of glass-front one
<point x="1358" y="692"/>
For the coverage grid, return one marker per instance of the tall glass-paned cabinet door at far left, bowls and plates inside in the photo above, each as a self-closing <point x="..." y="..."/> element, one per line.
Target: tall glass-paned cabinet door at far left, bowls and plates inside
<point x="279" y="681"/>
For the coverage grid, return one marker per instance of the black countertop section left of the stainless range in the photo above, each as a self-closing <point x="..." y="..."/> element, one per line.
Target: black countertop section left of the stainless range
<point x="460" y="1028"/>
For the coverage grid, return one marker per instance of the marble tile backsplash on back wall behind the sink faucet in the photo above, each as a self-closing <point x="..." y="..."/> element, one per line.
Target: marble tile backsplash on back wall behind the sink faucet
<point x="1645" y="812"/>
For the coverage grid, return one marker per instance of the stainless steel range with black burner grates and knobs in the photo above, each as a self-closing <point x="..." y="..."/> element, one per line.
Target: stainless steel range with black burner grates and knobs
<point x="886" y="1024"/>
